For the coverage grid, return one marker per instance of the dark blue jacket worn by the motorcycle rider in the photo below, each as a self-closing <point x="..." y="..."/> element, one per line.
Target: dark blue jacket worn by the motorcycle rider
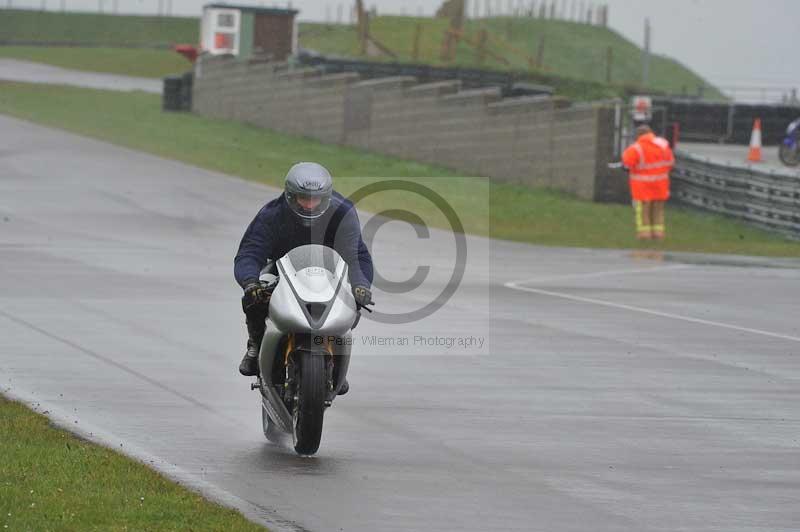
<point x="276" y="230"/>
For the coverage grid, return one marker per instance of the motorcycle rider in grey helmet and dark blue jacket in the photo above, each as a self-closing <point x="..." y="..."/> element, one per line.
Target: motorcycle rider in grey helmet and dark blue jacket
<point x="308" y="211"/>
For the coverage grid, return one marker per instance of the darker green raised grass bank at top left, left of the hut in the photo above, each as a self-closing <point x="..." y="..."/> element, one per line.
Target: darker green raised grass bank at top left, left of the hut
<point x="92" y="28"/>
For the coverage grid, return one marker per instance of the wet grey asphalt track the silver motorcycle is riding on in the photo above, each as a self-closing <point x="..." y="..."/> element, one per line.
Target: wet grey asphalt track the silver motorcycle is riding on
<point x="621" y="392"/>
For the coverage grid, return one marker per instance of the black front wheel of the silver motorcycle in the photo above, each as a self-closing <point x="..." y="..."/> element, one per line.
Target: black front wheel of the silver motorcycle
<point x="309" y="408"/>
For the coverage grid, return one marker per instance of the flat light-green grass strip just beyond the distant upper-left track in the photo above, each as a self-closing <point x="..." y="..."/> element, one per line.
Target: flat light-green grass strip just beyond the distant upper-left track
<point x="125" y="61"/>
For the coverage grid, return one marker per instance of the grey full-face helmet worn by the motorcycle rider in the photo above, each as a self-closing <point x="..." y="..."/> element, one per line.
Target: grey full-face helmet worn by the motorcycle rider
<point x="308" y="181"/>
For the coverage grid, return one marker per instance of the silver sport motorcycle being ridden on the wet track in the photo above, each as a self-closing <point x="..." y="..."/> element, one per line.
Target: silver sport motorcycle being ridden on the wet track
<point x="306" y="348"/>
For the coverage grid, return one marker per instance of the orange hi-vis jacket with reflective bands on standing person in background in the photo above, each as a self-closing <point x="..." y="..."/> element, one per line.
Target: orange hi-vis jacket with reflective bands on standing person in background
<point x="649" y="161"/>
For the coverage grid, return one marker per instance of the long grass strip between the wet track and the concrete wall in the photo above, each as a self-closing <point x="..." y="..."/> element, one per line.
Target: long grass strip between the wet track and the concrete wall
<point x="513" y="212"/>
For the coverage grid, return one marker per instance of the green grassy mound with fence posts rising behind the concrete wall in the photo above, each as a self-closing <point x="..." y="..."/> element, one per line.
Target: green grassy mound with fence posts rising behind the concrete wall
<point x="572" y="52"/>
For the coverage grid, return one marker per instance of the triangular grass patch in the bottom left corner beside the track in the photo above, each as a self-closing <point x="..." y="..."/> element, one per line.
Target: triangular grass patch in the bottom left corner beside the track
<point x="51" y="480"/>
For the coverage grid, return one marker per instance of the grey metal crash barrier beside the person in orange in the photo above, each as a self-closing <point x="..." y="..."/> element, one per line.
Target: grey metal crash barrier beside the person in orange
<point x="768" y="199"/>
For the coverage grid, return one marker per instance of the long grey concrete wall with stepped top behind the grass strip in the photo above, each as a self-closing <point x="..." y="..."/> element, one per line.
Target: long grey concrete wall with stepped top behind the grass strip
<point x="532" y="141"/>
